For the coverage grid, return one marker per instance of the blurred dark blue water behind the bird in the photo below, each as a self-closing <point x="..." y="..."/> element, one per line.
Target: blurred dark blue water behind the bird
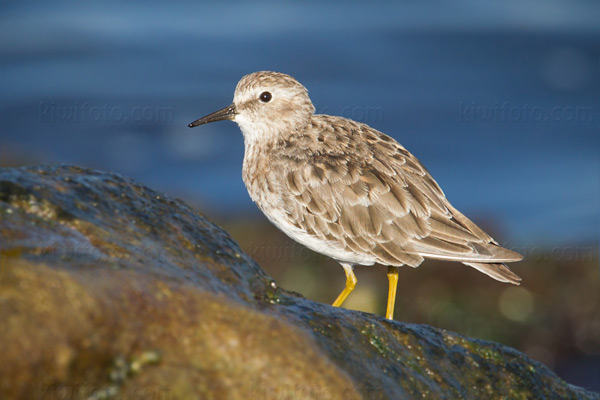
<point x="500" y="101"/>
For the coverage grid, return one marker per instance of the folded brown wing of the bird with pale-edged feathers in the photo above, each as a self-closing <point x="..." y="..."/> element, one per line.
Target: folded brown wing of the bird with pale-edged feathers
<point x="383" y="202"/>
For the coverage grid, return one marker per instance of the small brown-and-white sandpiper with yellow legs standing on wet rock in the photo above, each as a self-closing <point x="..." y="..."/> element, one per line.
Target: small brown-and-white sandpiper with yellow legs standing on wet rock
<point x="346" y="190"/>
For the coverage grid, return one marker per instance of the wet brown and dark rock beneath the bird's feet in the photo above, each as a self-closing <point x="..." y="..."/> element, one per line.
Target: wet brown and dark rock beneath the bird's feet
<point x="109" y="289"/>
